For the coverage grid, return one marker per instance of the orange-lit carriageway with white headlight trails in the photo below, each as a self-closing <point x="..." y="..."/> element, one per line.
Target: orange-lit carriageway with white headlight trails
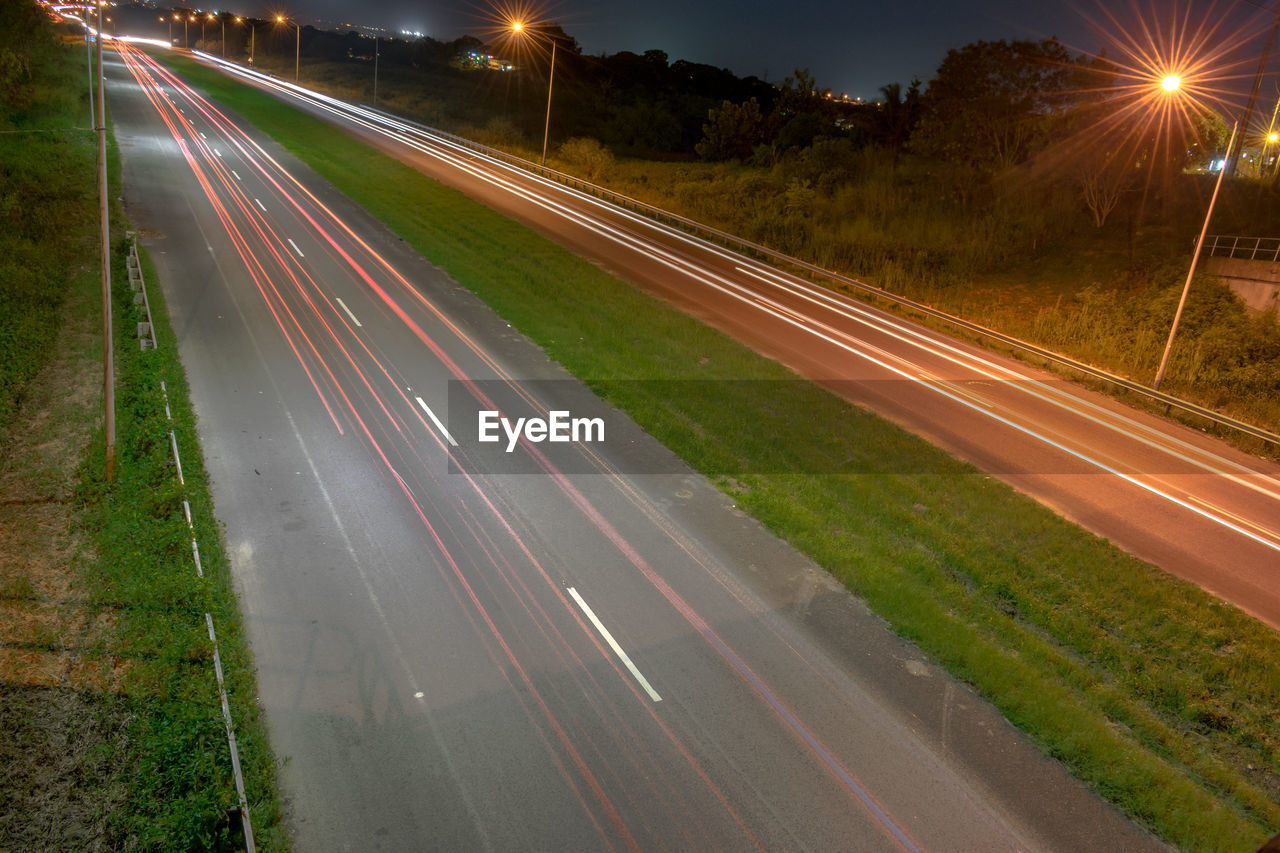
<point x="1171" y="495"/>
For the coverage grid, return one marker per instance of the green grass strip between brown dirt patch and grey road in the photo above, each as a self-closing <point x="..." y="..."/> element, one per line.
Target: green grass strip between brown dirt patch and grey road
<point x="144" y="573"/>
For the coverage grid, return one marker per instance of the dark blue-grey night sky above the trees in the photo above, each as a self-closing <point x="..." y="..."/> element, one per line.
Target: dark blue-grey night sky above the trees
<point x="852" y="47"/>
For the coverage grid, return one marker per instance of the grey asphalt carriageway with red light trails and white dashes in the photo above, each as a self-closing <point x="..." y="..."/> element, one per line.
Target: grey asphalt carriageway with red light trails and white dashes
<point x="456" y="660"/>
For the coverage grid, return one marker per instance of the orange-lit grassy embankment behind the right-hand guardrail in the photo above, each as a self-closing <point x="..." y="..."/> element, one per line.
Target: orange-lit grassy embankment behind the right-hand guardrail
<point x="1020" y="254"/>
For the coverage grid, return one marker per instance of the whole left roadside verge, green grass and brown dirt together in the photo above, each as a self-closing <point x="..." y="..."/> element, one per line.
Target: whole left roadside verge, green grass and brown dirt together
<point x="115" y="731"/>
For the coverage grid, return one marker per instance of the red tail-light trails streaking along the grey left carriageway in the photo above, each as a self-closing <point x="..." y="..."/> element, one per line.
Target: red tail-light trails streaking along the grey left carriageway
<point x="321" y="312"/>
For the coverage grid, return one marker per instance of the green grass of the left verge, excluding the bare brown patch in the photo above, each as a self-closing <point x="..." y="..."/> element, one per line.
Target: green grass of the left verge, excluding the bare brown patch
<point x="163" y="737"/>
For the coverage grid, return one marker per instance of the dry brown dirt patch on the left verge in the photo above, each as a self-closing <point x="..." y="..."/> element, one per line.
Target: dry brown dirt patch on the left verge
<point x="63" y="720"/>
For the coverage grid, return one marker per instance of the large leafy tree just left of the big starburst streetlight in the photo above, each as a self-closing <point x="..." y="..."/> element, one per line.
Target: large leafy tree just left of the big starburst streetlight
<point x="994" y="104"/>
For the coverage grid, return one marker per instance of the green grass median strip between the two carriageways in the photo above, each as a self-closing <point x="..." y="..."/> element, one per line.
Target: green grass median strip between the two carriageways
<point x="1155" y="694"/>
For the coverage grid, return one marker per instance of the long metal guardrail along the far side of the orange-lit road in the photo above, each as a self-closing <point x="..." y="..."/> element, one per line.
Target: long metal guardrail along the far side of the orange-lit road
<point x="765" y="253"/>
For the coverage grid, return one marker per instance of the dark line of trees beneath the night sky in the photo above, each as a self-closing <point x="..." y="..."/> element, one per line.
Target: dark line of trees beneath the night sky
<point x="991" y="106"/>
